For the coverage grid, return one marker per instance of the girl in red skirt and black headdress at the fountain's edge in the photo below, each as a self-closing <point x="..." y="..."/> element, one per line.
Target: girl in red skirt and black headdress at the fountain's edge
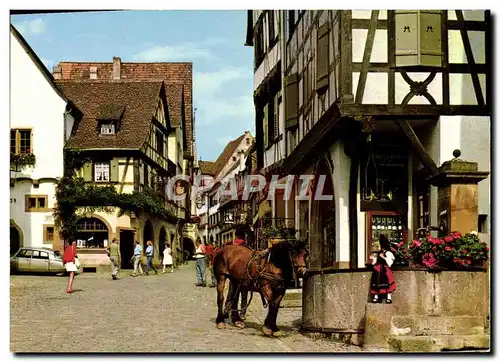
<point x="382" y="281"/>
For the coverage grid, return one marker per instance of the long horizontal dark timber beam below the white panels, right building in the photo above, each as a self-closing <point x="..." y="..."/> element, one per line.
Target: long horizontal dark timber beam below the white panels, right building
<point x="412" y="111"/>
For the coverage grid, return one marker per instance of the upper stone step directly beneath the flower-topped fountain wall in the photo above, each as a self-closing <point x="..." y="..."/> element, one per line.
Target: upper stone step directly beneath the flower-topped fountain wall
<point x="434" y="325"/>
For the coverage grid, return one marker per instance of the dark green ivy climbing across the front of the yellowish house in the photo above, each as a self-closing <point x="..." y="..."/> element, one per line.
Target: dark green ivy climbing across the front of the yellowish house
<point x="73" y="193"/>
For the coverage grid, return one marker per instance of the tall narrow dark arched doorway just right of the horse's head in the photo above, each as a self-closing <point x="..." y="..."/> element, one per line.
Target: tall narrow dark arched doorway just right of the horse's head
<point x="323" y="231"/>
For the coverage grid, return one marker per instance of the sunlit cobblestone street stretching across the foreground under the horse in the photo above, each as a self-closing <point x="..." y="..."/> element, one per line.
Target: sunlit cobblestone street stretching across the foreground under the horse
<point x="156" y="313"/>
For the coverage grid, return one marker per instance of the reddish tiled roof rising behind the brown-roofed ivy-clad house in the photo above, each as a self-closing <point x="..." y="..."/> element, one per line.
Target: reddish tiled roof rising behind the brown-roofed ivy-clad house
<point x="171" y="73"/>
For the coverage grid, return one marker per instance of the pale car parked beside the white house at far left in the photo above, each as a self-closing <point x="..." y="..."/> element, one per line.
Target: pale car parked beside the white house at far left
<point x="37" y="260"/>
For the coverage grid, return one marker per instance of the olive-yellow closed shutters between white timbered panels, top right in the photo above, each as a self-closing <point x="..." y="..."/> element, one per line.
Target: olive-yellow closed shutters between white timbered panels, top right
<point x="418" y="38"/>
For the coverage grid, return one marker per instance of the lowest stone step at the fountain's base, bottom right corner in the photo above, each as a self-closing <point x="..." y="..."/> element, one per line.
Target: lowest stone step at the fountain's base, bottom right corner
<point x="438" y="343"/>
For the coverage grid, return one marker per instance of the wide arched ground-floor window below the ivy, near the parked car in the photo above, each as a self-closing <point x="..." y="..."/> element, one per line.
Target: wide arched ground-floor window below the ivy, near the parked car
<point x="92" y="232"/>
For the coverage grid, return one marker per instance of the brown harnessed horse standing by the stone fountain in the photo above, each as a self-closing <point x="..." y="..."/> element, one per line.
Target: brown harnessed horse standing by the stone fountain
<point x="263" y="272"/>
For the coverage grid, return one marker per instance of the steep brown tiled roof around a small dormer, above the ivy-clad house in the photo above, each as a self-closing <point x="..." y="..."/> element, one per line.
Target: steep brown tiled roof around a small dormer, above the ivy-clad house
<point x="138" y="99"/>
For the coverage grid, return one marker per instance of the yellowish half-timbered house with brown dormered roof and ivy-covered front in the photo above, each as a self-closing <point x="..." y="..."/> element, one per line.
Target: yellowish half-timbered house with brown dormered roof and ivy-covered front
<point x="130" y="133"/>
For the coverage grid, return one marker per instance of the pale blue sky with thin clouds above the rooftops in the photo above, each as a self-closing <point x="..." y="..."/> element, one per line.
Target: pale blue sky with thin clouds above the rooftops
<point x="212" y="40"/>
